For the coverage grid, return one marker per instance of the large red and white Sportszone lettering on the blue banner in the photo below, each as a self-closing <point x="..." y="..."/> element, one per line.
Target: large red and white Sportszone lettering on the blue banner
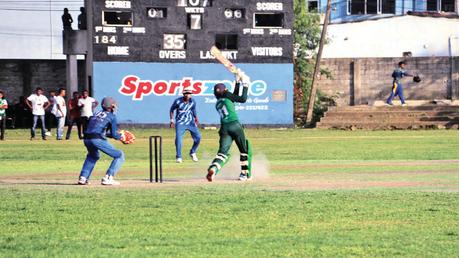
<point x="132" y="85"/>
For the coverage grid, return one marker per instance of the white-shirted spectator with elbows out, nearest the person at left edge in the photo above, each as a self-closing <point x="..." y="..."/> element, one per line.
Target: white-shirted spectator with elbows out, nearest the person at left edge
<point x="38" y="103"/>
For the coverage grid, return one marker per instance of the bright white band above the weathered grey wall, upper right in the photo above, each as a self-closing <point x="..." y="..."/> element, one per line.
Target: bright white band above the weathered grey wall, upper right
<point x="390" y="37"/>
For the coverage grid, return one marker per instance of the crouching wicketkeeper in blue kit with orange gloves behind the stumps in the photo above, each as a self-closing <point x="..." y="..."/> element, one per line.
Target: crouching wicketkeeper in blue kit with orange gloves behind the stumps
<point x="100" y="126"/>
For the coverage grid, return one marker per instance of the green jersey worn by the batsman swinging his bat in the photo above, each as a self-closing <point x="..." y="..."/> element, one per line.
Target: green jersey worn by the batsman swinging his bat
<point x="225" y="105"/>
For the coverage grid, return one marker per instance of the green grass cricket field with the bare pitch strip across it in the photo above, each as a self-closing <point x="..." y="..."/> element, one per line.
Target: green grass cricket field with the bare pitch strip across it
<point x="315" y="193"/>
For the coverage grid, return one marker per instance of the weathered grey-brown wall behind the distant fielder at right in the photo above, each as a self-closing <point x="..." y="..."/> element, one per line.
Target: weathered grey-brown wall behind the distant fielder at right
<point x="365" y="80"/>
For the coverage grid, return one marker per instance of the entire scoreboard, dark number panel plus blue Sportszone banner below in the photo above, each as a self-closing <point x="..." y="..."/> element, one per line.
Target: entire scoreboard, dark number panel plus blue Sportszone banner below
<point x="145" y="52"/>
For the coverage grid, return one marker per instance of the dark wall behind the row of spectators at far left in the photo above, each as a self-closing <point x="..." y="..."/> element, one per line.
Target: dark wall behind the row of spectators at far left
<point x="21" y="77"/>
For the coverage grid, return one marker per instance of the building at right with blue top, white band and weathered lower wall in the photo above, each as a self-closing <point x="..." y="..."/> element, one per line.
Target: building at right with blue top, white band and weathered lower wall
<point x="366" y="40"/>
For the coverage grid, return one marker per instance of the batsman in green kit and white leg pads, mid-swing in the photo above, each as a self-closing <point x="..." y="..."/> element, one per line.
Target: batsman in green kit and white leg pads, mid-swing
<point x="231" y="130"/>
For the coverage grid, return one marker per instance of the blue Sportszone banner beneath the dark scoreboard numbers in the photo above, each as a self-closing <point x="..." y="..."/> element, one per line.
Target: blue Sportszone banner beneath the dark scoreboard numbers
<point x="145" y="91"/>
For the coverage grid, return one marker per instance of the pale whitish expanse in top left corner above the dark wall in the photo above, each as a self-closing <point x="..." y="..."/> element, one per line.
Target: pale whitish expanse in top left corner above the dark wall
<point x="32" y="29"/>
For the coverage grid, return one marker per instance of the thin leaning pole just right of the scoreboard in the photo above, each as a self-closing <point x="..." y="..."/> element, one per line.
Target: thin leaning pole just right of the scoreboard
<point x="313" y="93"/>
